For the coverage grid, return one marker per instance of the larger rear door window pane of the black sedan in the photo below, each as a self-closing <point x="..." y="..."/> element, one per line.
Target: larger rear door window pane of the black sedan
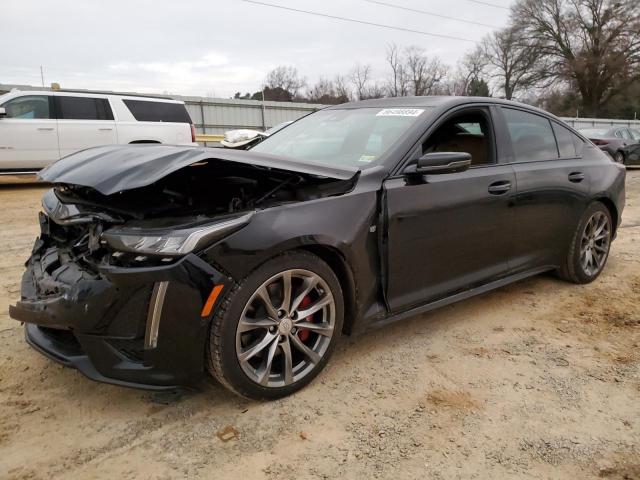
<point x="531" y="136"/>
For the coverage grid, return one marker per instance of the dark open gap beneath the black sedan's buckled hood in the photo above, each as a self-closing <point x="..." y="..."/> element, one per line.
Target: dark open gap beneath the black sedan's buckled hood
<point x="211" y="187"/>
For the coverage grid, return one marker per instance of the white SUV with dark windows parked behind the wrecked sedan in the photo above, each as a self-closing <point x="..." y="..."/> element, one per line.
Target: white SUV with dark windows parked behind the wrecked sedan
<point x="39" y="127"/>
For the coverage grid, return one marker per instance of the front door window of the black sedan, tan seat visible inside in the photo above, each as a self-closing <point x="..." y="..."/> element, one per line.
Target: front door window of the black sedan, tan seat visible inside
<point x="468" y="132"/>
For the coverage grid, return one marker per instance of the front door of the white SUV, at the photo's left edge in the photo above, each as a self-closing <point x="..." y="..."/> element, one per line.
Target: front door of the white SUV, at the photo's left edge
<point x="28" y="133"/>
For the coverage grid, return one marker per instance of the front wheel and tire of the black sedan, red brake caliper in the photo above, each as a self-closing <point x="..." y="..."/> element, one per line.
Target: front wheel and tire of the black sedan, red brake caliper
<point x="261" y="357"/>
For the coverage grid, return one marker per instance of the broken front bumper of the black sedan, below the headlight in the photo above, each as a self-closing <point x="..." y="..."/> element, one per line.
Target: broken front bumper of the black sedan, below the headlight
<point x="138" y="327"/>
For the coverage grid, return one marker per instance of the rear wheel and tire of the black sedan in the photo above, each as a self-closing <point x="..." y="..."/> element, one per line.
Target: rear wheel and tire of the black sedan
<point x="588" y="242"/>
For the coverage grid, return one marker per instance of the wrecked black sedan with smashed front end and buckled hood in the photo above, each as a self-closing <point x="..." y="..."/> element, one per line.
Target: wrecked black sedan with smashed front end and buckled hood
<point x="156" y="264"/>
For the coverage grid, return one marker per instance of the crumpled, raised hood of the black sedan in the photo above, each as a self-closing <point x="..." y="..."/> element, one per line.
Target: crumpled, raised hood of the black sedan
<point x="116" y="168"/>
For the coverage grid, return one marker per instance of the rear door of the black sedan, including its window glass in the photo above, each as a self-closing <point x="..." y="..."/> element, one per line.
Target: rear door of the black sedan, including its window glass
<point x="552" y="187"/>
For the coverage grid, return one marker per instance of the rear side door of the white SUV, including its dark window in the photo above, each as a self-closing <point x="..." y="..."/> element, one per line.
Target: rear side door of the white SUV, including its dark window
<point x="83" y="122"/>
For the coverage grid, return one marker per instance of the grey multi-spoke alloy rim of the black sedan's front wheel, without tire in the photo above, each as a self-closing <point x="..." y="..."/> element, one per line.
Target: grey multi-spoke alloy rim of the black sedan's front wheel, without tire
<point x="285" y="328"/>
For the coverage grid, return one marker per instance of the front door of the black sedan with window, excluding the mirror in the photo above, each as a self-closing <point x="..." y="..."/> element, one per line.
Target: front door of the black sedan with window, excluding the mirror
<point x="450" y="232"/>
